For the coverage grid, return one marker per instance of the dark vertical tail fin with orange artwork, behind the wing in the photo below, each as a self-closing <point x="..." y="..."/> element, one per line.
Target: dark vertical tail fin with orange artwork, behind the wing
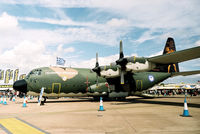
<point x="169" y="48"/>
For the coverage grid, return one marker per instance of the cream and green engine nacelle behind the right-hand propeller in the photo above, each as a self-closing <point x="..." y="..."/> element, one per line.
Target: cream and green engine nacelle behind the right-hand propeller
<point x="139" y="64"/>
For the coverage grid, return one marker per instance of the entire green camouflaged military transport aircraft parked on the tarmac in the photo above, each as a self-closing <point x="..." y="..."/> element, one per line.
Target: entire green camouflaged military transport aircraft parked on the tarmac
<point x="125" y="77"/>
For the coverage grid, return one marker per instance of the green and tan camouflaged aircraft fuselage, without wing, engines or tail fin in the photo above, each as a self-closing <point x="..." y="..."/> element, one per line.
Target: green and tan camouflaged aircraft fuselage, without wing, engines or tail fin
<point x="68" y="82"/>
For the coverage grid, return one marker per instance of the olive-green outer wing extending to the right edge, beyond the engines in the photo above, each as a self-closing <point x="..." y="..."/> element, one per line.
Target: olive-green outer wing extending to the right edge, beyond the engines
<point x="177" y="56"/>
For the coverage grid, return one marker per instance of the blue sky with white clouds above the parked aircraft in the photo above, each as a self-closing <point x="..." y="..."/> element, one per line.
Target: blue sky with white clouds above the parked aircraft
<point x="34" y="32"/>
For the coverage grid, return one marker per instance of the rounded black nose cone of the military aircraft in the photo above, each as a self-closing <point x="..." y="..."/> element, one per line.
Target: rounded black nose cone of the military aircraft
<point x="20" y="85"/>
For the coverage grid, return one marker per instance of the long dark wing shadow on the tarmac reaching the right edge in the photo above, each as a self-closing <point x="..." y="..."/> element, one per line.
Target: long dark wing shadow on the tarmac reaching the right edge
<point x="148" y="101"/>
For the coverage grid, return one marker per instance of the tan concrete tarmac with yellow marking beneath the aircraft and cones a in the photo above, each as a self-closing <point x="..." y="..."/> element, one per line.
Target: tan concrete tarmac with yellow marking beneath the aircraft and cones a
<point x="81" y="116"/>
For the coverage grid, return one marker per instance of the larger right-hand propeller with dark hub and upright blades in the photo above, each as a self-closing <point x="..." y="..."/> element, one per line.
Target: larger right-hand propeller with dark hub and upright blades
<point x="122" y="63"/>
